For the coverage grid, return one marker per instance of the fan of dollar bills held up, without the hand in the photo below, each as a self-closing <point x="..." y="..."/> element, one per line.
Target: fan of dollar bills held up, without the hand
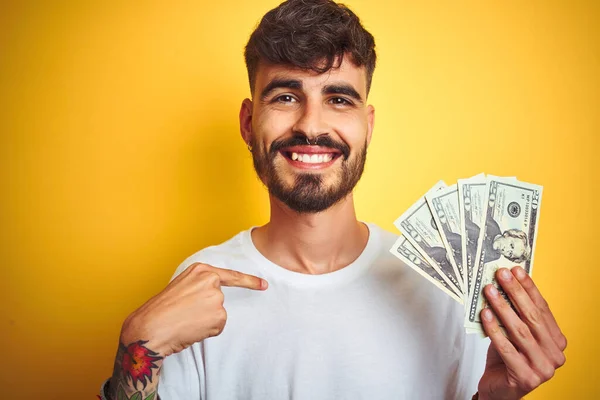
<point x="458" y="236"/>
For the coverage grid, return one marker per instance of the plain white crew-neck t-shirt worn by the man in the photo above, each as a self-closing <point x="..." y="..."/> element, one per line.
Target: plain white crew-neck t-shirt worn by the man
<point x="372" y="330"/>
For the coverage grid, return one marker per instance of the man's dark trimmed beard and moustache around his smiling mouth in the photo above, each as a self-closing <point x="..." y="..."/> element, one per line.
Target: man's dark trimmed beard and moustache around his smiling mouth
<point x="308" y="194"/>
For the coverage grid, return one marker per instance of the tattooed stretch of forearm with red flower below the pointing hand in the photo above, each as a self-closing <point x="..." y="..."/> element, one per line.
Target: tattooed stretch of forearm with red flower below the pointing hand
<point x="135" y="366"/>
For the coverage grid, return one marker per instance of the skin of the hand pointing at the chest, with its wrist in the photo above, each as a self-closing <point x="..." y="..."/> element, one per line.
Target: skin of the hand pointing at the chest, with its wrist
<point x="190" y="309"/>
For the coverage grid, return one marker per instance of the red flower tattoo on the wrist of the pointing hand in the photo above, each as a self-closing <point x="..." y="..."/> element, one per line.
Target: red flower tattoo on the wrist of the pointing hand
<point x="138" y="362"/>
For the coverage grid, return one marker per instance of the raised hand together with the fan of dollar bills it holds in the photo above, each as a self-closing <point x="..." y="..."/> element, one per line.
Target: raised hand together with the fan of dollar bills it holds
<point x="475" y="241"/>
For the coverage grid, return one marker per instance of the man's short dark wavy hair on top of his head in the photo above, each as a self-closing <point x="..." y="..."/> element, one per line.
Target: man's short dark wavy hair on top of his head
<point x="312" y="35"/>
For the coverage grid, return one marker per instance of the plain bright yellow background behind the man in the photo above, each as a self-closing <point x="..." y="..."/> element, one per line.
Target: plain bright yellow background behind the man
<point x="120" y="156"/>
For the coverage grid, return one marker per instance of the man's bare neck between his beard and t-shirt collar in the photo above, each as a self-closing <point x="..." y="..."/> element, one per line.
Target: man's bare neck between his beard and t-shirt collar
<point x="312" y="243"/>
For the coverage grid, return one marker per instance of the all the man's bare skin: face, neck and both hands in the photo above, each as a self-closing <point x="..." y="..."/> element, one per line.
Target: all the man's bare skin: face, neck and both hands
<point x="317" y="243"/>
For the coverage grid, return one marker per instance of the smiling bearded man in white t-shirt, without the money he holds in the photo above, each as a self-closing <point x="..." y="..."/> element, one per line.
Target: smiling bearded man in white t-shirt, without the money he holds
<point x="340" y="318"/>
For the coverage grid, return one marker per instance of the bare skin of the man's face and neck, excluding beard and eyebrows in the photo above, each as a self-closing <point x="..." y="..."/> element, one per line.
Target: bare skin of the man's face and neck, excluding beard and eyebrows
<point x="329" y="240"/>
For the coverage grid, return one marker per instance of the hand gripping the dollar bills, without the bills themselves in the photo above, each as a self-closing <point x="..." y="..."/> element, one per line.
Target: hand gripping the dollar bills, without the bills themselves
<point x="534" y="346"/>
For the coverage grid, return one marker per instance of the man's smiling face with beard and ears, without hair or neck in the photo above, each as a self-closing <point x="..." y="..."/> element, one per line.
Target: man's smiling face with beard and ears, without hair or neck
<point x="292" y="108"/>
